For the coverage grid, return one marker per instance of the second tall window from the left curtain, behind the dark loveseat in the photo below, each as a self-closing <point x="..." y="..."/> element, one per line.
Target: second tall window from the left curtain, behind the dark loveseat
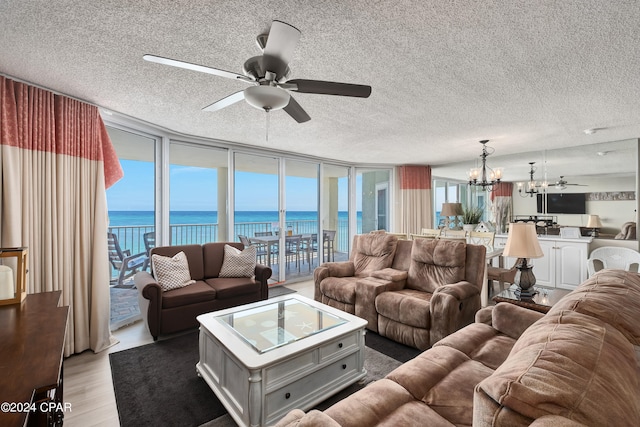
<point x="197" y="193"/>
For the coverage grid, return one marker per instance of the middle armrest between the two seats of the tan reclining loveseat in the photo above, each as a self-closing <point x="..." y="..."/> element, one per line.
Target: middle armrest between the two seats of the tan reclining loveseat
<point x="367" y="290"/>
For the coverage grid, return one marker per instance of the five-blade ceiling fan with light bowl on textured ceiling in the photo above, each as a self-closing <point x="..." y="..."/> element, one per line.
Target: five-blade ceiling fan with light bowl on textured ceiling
<point x="268" y="76"/>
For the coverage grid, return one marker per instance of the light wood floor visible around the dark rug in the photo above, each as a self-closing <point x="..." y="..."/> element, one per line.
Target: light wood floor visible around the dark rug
<point x="88" y="385"/>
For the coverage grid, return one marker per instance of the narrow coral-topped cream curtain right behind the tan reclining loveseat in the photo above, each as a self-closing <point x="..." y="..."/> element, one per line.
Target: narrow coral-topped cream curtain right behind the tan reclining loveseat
<point x="415" y="198"/>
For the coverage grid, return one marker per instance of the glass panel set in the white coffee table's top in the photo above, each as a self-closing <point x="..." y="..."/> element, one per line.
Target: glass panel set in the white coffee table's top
<point x="274" y="325"/>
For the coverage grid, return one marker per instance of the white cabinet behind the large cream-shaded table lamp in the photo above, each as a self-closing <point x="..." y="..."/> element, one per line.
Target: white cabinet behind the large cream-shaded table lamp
<point x="564" y="264"/>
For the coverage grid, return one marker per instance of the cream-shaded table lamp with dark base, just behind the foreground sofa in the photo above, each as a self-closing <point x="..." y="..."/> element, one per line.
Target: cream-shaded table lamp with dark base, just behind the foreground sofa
<point x="522" y="243"/>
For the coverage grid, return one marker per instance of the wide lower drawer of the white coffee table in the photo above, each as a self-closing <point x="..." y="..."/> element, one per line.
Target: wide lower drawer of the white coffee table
<point x="316" y="384"/>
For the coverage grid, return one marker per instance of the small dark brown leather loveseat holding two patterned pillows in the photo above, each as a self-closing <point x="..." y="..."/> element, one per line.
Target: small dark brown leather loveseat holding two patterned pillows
<point x="174" y="310"/>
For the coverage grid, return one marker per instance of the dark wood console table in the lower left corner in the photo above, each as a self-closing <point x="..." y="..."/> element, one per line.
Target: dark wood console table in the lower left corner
<point x="32" y="336"/>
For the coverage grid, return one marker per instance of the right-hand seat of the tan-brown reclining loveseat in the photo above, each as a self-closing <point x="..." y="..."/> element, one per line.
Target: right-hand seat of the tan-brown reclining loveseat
<point x="441" y="293"/>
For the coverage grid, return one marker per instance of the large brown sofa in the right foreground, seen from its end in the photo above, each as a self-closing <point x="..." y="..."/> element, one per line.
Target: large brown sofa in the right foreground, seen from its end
<point x="577" y="365"/>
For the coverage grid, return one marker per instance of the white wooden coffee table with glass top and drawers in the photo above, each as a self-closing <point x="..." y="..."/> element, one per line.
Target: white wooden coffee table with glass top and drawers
<point x="265" y="358"/>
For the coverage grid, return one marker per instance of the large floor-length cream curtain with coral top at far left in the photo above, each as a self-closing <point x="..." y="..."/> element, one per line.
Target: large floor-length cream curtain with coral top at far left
<point x="56" y="160"/>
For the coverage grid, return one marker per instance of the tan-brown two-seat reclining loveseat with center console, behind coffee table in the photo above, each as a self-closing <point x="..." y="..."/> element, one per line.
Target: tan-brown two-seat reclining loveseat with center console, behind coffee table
<point x="413" y="291"/>
